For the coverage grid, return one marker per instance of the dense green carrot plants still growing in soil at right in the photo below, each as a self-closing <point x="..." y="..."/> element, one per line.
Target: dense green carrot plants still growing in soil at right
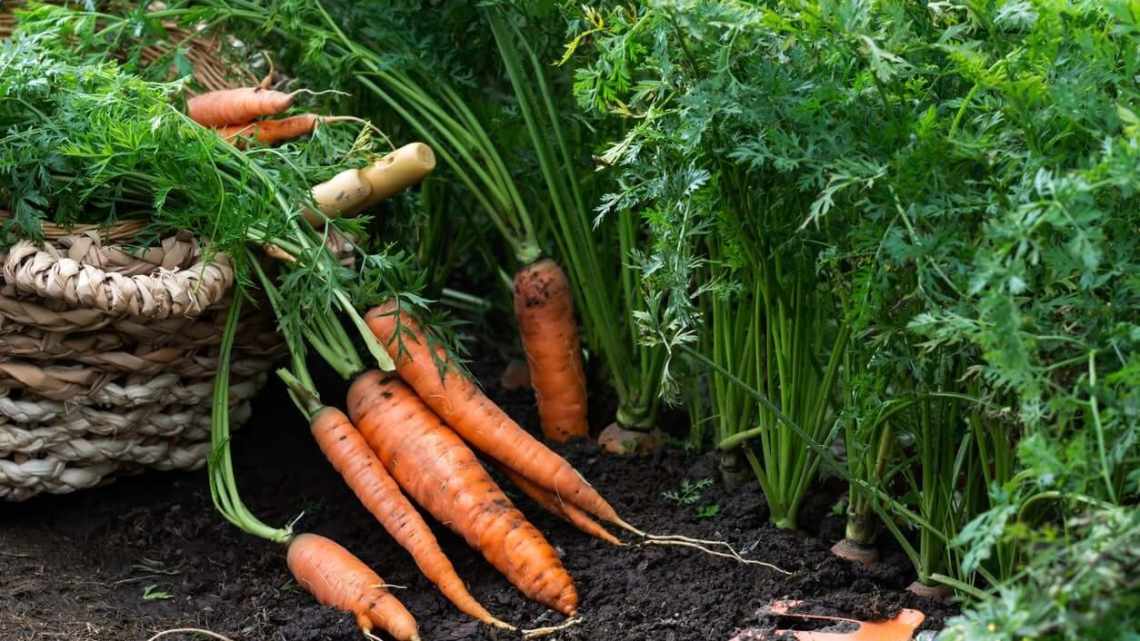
<point x="946" y="184"/>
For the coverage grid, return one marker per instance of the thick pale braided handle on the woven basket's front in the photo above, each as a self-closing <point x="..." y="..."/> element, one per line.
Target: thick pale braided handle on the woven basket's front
<point x="162" y="294"/>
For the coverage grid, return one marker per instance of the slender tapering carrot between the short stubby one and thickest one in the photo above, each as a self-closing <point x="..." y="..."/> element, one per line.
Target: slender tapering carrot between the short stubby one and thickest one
<point x="352" y="457"/>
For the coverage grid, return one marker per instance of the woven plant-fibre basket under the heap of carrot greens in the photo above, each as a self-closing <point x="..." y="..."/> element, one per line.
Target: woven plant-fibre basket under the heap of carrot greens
<point x="108" y="355"/>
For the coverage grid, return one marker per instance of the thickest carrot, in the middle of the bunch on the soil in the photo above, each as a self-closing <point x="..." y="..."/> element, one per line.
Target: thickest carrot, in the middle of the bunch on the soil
<point x="444" y="476"/>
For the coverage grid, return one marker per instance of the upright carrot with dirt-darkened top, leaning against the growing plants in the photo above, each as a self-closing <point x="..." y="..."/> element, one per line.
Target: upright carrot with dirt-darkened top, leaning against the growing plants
<point x="544" y="309"/>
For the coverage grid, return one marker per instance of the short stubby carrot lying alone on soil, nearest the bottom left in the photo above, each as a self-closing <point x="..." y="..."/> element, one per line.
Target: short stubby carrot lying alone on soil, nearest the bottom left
<point x="339" y="580"/>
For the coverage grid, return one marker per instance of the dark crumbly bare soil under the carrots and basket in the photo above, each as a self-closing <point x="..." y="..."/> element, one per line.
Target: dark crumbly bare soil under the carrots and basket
<point x="149" y="554"/>
